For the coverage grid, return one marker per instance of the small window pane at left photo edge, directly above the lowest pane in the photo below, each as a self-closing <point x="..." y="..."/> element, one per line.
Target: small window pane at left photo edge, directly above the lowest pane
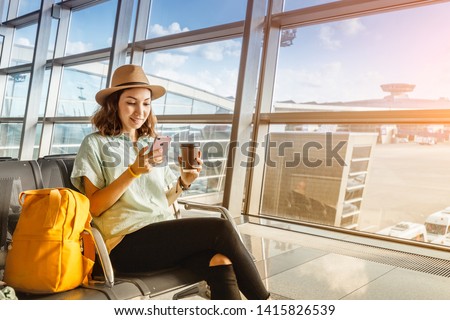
<point x="16" y="95"/>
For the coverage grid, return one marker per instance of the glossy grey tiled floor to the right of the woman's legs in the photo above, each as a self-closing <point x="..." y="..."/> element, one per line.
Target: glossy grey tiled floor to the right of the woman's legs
<point x="295" y="266"/>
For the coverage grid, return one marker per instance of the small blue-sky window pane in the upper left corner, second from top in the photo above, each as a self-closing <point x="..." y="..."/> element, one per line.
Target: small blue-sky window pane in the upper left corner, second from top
<point x="23" y="45"/>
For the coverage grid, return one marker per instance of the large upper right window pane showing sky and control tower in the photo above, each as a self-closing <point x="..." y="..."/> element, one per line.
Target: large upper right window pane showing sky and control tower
<point x="379" y="62"/>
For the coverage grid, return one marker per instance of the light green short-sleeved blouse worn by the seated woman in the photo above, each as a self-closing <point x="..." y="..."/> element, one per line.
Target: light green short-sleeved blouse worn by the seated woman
<point x="102" y="160"/>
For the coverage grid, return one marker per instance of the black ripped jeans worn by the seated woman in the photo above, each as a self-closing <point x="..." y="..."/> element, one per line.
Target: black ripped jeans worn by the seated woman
<point x="191" y="242"/>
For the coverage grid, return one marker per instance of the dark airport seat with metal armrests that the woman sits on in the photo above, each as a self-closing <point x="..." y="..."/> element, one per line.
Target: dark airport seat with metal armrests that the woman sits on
<point x="151" y="283"/>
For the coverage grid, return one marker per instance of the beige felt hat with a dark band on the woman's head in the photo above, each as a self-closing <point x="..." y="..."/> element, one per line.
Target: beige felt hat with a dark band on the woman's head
<point x="129" y="76"/>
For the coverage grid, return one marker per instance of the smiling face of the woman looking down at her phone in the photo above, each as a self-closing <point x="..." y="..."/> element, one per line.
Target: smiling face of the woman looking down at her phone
<point x="134" y="108"/>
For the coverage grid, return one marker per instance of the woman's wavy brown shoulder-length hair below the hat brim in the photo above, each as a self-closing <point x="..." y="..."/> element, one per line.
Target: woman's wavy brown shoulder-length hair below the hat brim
<point x="106" y="118"/>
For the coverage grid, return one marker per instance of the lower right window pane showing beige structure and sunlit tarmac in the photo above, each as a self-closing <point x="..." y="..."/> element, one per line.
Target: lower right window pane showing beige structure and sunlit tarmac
<point x="370" y="178"/>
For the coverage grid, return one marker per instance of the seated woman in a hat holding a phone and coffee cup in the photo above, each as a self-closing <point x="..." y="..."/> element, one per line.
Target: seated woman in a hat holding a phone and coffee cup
<point x="130" y="199"/>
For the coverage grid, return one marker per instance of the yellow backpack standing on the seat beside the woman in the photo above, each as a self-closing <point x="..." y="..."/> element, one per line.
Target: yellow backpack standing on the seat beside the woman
<point x="52" y="246"/>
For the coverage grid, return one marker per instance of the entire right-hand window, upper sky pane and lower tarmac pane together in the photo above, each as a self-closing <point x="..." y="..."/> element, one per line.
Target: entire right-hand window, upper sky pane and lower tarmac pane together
<point x="390" y="179"/>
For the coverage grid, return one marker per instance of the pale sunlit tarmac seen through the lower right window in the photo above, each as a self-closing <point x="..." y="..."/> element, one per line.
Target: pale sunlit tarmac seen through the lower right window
<point x="406" y="182"/>
